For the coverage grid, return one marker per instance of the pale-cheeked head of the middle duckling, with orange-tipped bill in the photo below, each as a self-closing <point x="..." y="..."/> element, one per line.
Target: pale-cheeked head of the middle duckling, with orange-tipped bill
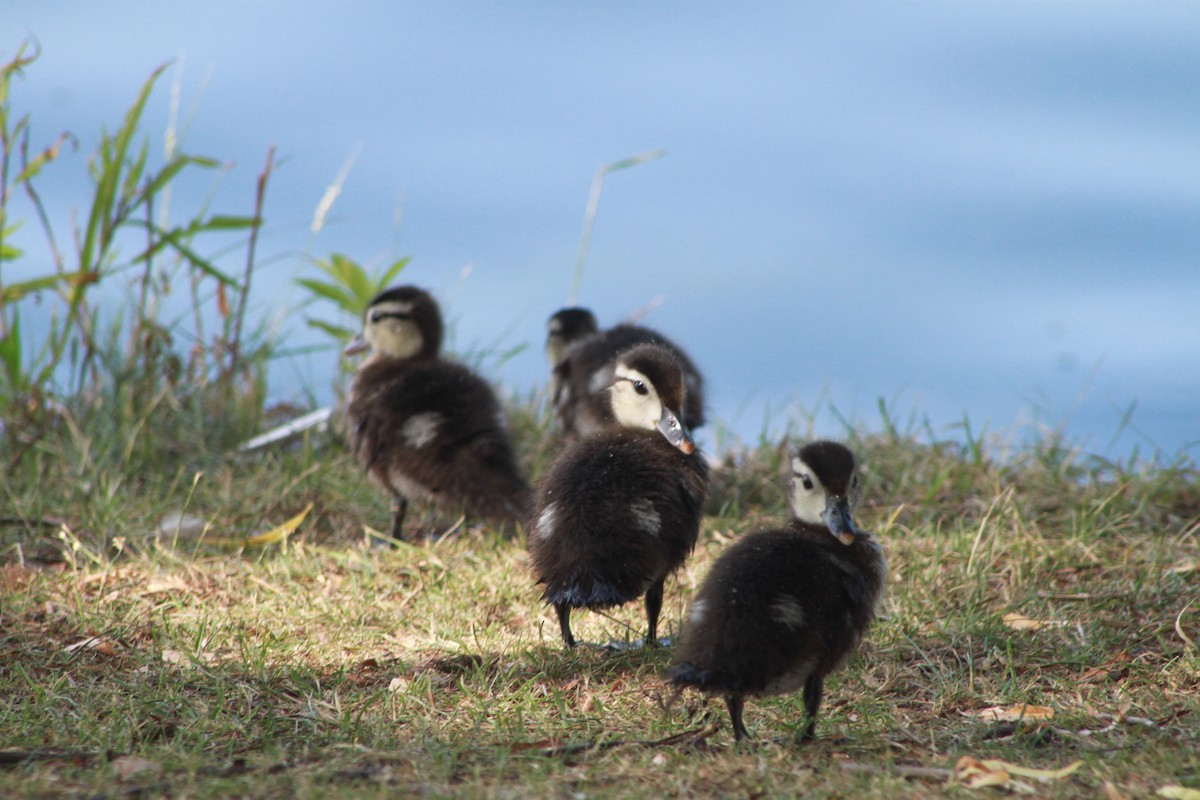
<point x="647" y="393"/>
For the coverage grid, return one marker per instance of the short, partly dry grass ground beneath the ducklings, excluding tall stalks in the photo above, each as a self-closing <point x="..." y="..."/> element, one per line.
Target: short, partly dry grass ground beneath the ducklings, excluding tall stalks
<point x="146" y="649"/>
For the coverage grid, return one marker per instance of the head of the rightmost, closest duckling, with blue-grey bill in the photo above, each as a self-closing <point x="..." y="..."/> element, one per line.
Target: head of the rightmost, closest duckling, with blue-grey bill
<point x="825" y="489"/>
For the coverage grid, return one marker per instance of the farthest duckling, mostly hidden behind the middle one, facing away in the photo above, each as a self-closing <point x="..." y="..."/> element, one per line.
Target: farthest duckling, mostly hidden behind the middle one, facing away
<point x="583" y="358"/>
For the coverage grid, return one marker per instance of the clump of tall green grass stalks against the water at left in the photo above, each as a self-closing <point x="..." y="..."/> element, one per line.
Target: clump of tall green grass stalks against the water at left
<point x="147" y="359"/>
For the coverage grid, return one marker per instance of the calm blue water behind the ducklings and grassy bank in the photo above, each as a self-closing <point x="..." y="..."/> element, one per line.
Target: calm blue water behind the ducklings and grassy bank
<point x="987" y="209"/>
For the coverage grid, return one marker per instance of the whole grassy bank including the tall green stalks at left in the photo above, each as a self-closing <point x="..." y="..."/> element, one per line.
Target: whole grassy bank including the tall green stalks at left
<point x="161" y="636"/>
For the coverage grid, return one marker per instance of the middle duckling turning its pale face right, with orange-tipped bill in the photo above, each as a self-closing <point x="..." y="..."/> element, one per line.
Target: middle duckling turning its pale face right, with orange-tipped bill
<point x="620" y="512"/>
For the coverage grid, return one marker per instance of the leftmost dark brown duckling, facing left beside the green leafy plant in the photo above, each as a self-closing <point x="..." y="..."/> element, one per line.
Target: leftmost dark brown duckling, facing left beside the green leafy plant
<point x="427" y="429"/>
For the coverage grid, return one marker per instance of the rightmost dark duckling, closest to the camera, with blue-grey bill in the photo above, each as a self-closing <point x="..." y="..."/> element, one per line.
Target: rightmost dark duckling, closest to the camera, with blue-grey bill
<point x="782" y="610"/>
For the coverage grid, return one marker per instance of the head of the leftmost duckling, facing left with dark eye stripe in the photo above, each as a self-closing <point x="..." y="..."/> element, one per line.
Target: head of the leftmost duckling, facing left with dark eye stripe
<point x="401" y="323"/>
